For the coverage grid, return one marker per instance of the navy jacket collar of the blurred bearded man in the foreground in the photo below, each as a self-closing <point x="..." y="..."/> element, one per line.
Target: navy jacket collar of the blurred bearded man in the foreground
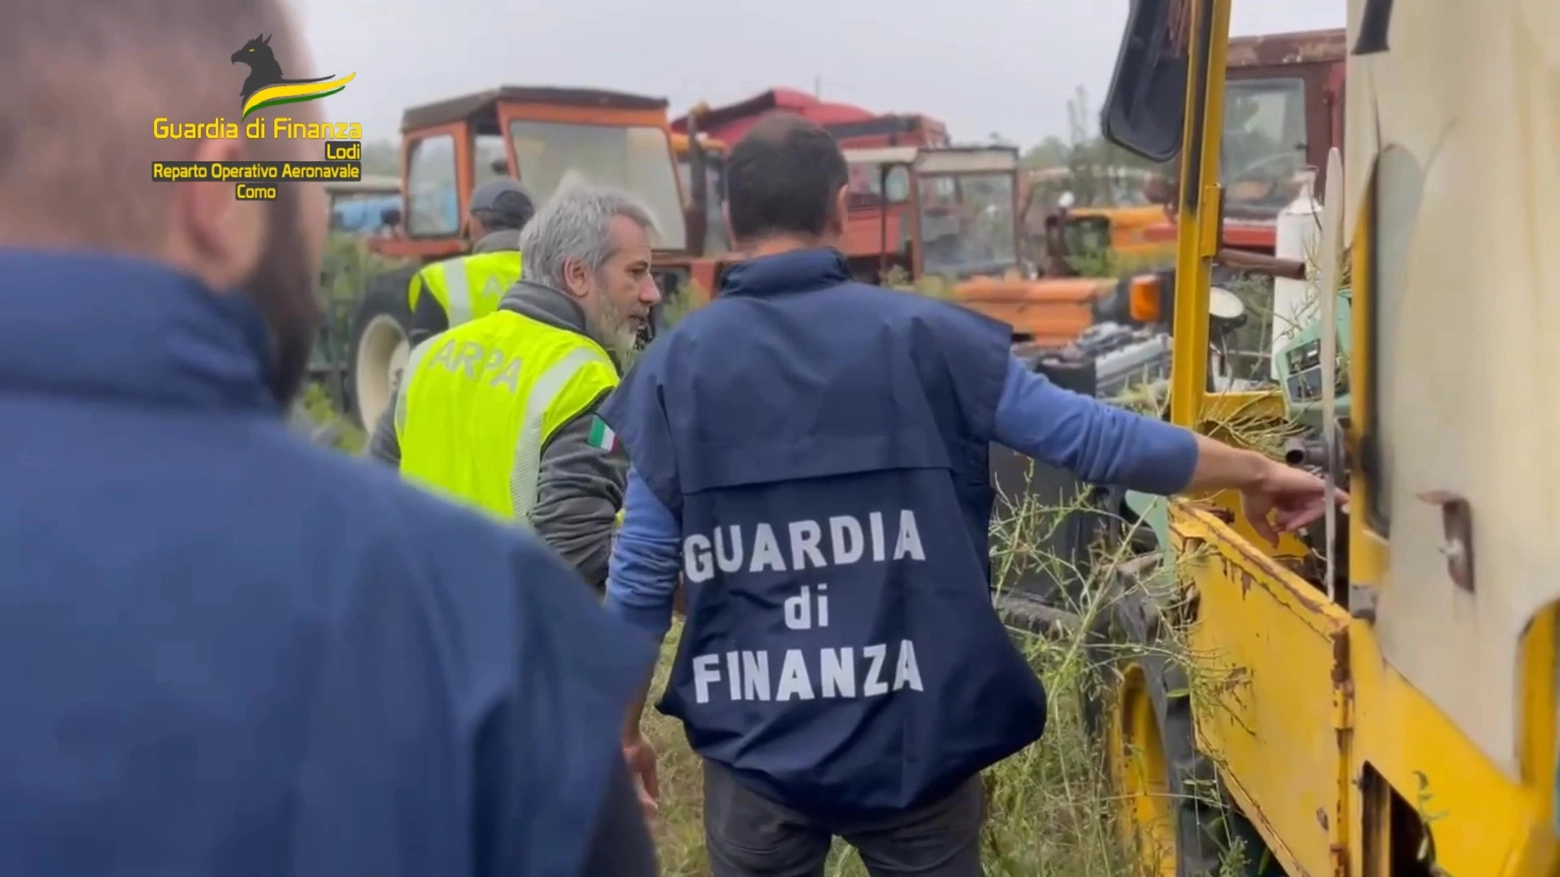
<point x="129" y="328"/>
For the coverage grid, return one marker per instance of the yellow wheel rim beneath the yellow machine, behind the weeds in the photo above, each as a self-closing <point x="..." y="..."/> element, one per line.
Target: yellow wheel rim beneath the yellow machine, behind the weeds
<point x="1143" y="776"/>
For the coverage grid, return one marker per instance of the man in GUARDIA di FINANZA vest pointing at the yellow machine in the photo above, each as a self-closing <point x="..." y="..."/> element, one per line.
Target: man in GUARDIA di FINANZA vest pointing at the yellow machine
<point x="812" y="455"/>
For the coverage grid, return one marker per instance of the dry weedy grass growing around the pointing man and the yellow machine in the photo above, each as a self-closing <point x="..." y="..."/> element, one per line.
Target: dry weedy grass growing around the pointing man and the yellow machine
<point x="1052" y="808"/>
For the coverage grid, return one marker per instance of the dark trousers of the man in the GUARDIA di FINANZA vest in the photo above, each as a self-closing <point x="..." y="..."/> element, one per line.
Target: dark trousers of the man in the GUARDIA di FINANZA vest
<point x="748" y="836"/>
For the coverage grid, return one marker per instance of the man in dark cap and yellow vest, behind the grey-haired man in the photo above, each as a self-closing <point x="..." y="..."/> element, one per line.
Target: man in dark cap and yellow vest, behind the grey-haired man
<point x="461" y="289"/>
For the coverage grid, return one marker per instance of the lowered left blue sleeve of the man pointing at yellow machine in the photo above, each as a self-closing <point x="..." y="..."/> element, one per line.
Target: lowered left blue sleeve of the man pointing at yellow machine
<point x="642" y="578"/>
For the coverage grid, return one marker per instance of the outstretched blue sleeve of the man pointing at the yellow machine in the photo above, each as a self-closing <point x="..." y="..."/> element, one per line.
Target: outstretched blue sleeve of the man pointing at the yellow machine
<point x="1096" y="441"/>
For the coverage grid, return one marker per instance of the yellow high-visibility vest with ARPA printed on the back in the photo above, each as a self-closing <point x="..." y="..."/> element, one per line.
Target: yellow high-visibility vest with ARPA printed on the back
<point x="481" y="402"/>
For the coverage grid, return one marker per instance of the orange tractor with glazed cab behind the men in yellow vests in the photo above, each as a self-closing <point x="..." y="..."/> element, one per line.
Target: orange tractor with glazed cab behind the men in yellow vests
<point x="545" y="138"/>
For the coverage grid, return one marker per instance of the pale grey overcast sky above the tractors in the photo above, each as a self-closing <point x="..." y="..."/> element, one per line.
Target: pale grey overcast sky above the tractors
<point x="980" y="66"/>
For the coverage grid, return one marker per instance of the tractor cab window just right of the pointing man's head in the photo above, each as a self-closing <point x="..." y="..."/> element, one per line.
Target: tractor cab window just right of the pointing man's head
<point x="968" y="225"/>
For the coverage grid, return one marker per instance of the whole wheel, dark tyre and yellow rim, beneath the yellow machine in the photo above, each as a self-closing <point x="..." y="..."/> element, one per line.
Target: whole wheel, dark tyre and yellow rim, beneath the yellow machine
<point x="1169" y="801"/>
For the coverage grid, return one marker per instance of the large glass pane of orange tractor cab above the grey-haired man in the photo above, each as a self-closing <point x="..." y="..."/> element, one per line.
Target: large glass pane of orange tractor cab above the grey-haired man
<point x="553" y="155"/>
